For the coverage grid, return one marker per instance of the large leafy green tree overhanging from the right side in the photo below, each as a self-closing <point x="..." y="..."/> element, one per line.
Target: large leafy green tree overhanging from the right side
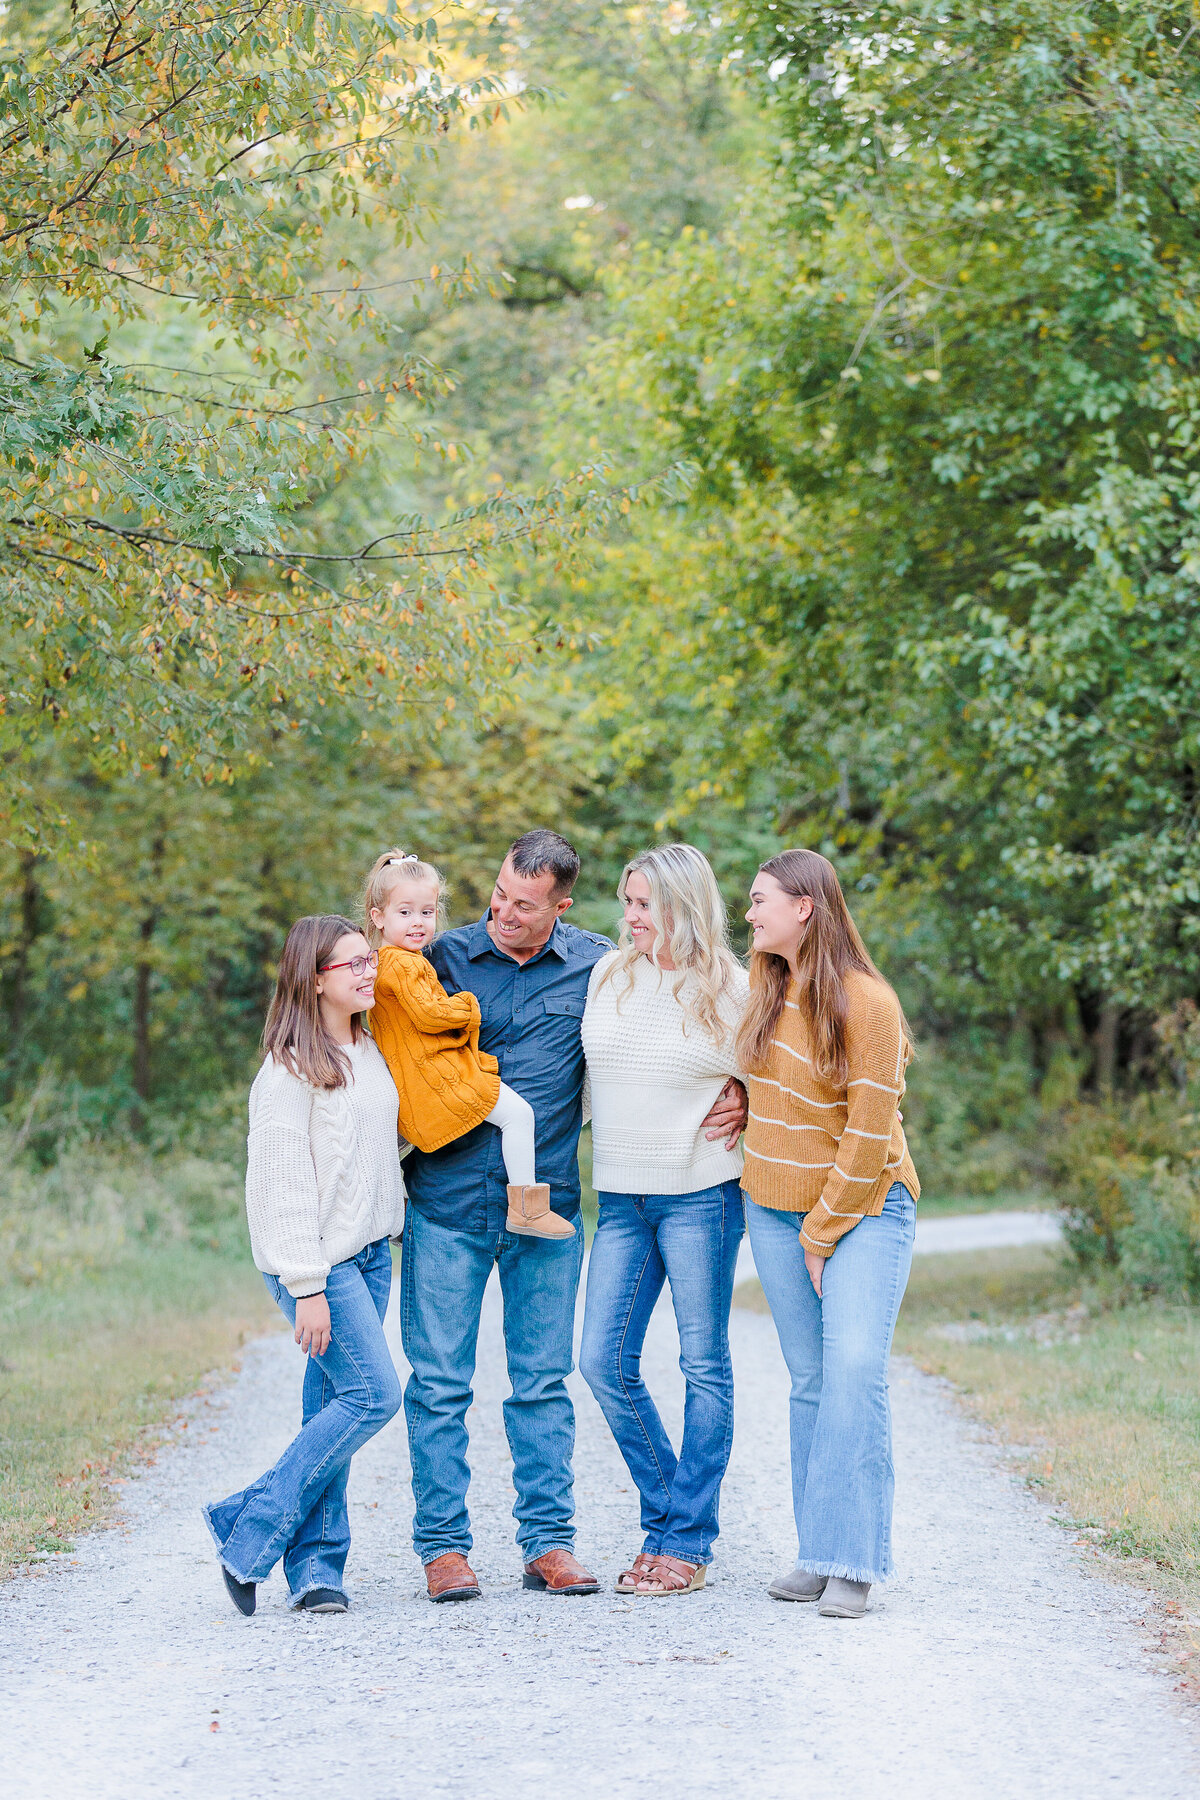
<point x="940" y="384"/>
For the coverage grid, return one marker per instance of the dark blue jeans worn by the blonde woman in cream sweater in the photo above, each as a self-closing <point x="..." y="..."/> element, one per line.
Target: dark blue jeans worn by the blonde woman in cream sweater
<point x="692" y="1241"/>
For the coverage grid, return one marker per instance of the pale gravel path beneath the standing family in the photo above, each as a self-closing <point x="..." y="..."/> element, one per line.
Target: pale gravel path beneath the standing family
<point x="992" y="1668"/>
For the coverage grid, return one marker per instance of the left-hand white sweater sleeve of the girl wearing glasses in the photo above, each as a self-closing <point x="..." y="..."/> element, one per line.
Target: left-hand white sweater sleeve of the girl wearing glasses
<point x="283" y="1207"/>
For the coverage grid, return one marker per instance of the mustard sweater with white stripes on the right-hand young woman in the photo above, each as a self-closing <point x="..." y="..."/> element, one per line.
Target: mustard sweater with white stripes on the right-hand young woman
<point x="825" y="1151"/>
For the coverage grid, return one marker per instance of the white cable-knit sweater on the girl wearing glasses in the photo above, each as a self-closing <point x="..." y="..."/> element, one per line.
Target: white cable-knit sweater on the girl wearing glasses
<point x="323" y="1174"/>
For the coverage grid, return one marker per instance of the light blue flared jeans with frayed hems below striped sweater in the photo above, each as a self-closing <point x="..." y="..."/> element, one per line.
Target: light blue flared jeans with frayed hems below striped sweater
<point x="837" y="1354"/>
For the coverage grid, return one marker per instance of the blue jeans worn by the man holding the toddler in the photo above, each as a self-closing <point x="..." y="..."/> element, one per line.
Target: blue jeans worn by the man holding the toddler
<point x="442" y="1291"/>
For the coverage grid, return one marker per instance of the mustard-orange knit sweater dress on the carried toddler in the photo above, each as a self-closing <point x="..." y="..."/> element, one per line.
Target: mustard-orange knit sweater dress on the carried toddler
<point x="431" y="1041"/>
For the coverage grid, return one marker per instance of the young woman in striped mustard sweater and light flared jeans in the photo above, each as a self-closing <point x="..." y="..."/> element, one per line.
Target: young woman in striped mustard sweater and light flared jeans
<point x="830" y="1214"/>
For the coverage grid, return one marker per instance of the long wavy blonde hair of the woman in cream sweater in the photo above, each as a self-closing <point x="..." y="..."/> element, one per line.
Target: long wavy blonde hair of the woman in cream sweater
<point x="690" y="921"/>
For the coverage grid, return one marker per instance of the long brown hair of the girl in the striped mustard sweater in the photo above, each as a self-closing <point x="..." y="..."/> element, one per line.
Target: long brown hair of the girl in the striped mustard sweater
<point x="828" y="951"/>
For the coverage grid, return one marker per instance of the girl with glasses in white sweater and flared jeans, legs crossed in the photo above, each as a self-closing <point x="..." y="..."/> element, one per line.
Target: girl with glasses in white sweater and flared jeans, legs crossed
<point x="325" y="1196"/>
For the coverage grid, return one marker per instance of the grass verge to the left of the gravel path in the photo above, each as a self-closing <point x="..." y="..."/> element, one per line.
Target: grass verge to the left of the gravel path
<point x="94" y="1363"/>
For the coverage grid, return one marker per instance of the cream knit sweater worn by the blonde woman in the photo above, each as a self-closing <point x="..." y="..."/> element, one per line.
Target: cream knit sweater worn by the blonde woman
<point x="654" y="1075"/>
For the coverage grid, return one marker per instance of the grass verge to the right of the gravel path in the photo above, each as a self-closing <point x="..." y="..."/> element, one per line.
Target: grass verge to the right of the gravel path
<point x="1102" y="1403"/>
